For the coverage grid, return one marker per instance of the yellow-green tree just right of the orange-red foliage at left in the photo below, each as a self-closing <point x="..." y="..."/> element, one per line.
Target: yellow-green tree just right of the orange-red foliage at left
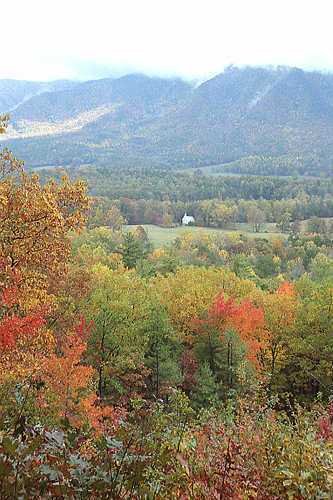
<point x="119" y="307"/>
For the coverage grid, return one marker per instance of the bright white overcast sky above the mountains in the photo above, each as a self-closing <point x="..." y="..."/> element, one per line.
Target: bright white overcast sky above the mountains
<point x="193" y="39"/>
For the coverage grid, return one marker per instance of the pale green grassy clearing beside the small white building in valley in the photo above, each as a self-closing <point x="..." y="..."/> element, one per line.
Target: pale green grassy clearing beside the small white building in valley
<point x="160" y="236"/>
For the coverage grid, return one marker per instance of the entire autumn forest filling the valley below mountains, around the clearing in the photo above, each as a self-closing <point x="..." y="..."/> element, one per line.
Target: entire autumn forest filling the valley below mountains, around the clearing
<point x="201" y="369"/>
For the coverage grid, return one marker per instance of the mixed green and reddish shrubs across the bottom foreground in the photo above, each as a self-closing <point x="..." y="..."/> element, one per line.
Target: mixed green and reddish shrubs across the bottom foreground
<point x="162" y="450"/>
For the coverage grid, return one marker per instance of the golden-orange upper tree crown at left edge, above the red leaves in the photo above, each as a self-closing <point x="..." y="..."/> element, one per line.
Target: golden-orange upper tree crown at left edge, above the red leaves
<point x="34" y="223"/>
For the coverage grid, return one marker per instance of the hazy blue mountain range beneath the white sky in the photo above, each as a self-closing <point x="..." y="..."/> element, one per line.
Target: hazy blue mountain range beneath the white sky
<point x="280" y="119"/>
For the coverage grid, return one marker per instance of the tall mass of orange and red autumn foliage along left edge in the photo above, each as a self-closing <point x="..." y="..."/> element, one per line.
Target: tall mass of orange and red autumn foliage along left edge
<point x="35" y="221"/>
